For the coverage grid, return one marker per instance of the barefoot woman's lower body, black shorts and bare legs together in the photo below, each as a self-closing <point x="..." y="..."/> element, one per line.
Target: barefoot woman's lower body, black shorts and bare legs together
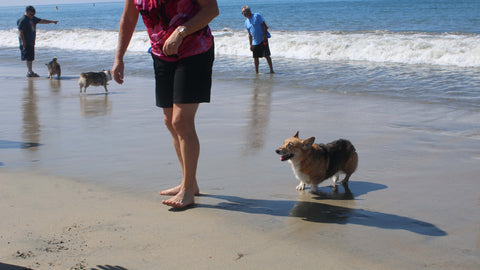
<point x="180" y="94"/>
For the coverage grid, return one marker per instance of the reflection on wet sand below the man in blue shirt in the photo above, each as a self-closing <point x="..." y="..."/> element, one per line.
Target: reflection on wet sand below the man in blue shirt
<point x="259" y="114"/>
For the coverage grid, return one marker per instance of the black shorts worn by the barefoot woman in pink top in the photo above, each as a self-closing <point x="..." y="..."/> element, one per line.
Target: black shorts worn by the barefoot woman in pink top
<point x="188" y="80"/>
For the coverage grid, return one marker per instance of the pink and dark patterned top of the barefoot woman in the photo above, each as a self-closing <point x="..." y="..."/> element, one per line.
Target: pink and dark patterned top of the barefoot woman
<point x="162" y="17"/>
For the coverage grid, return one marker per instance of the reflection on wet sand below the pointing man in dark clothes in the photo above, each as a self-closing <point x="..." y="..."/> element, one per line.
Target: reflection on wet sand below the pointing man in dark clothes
<point x="31" y="124"/>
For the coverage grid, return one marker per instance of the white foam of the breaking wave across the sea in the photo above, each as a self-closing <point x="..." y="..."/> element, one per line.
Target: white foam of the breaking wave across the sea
<point x="453" y="49"/>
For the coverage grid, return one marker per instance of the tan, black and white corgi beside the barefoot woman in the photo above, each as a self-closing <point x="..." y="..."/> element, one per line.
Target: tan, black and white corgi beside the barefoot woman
<point x="315" y="163"/>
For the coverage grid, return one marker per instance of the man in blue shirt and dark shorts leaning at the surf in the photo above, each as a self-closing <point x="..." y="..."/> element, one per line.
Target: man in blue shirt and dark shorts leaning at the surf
<point x="258" y="37"/>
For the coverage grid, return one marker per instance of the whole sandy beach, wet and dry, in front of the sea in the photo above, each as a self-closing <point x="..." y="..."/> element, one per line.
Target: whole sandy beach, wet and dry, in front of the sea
<point x="79" y="175"/>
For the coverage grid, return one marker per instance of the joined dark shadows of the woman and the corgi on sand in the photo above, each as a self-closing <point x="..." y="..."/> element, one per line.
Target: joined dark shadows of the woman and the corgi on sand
<point x="325" y="213"/>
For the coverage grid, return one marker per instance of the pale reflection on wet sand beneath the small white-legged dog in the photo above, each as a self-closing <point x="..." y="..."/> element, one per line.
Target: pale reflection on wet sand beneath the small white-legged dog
<point x="95" y="105"/>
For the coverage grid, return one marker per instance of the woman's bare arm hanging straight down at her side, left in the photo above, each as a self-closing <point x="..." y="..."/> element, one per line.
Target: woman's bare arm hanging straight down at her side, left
<point x="128" y="22"/>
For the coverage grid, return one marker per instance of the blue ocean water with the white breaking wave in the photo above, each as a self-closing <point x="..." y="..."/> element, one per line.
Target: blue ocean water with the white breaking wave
<point x="424" y="51"/>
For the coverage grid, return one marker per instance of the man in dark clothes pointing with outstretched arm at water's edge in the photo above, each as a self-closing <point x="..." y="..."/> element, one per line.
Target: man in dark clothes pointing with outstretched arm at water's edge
<point x="27" y="26"/>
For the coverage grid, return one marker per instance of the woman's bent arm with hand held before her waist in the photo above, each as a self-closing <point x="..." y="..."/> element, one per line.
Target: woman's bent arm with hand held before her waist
<point x="208" y="11"/>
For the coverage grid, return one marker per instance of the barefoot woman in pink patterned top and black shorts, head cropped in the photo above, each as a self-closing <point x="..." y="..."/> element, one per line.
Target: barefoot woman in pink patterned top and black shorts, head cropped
<point x="183" y="54"/>
